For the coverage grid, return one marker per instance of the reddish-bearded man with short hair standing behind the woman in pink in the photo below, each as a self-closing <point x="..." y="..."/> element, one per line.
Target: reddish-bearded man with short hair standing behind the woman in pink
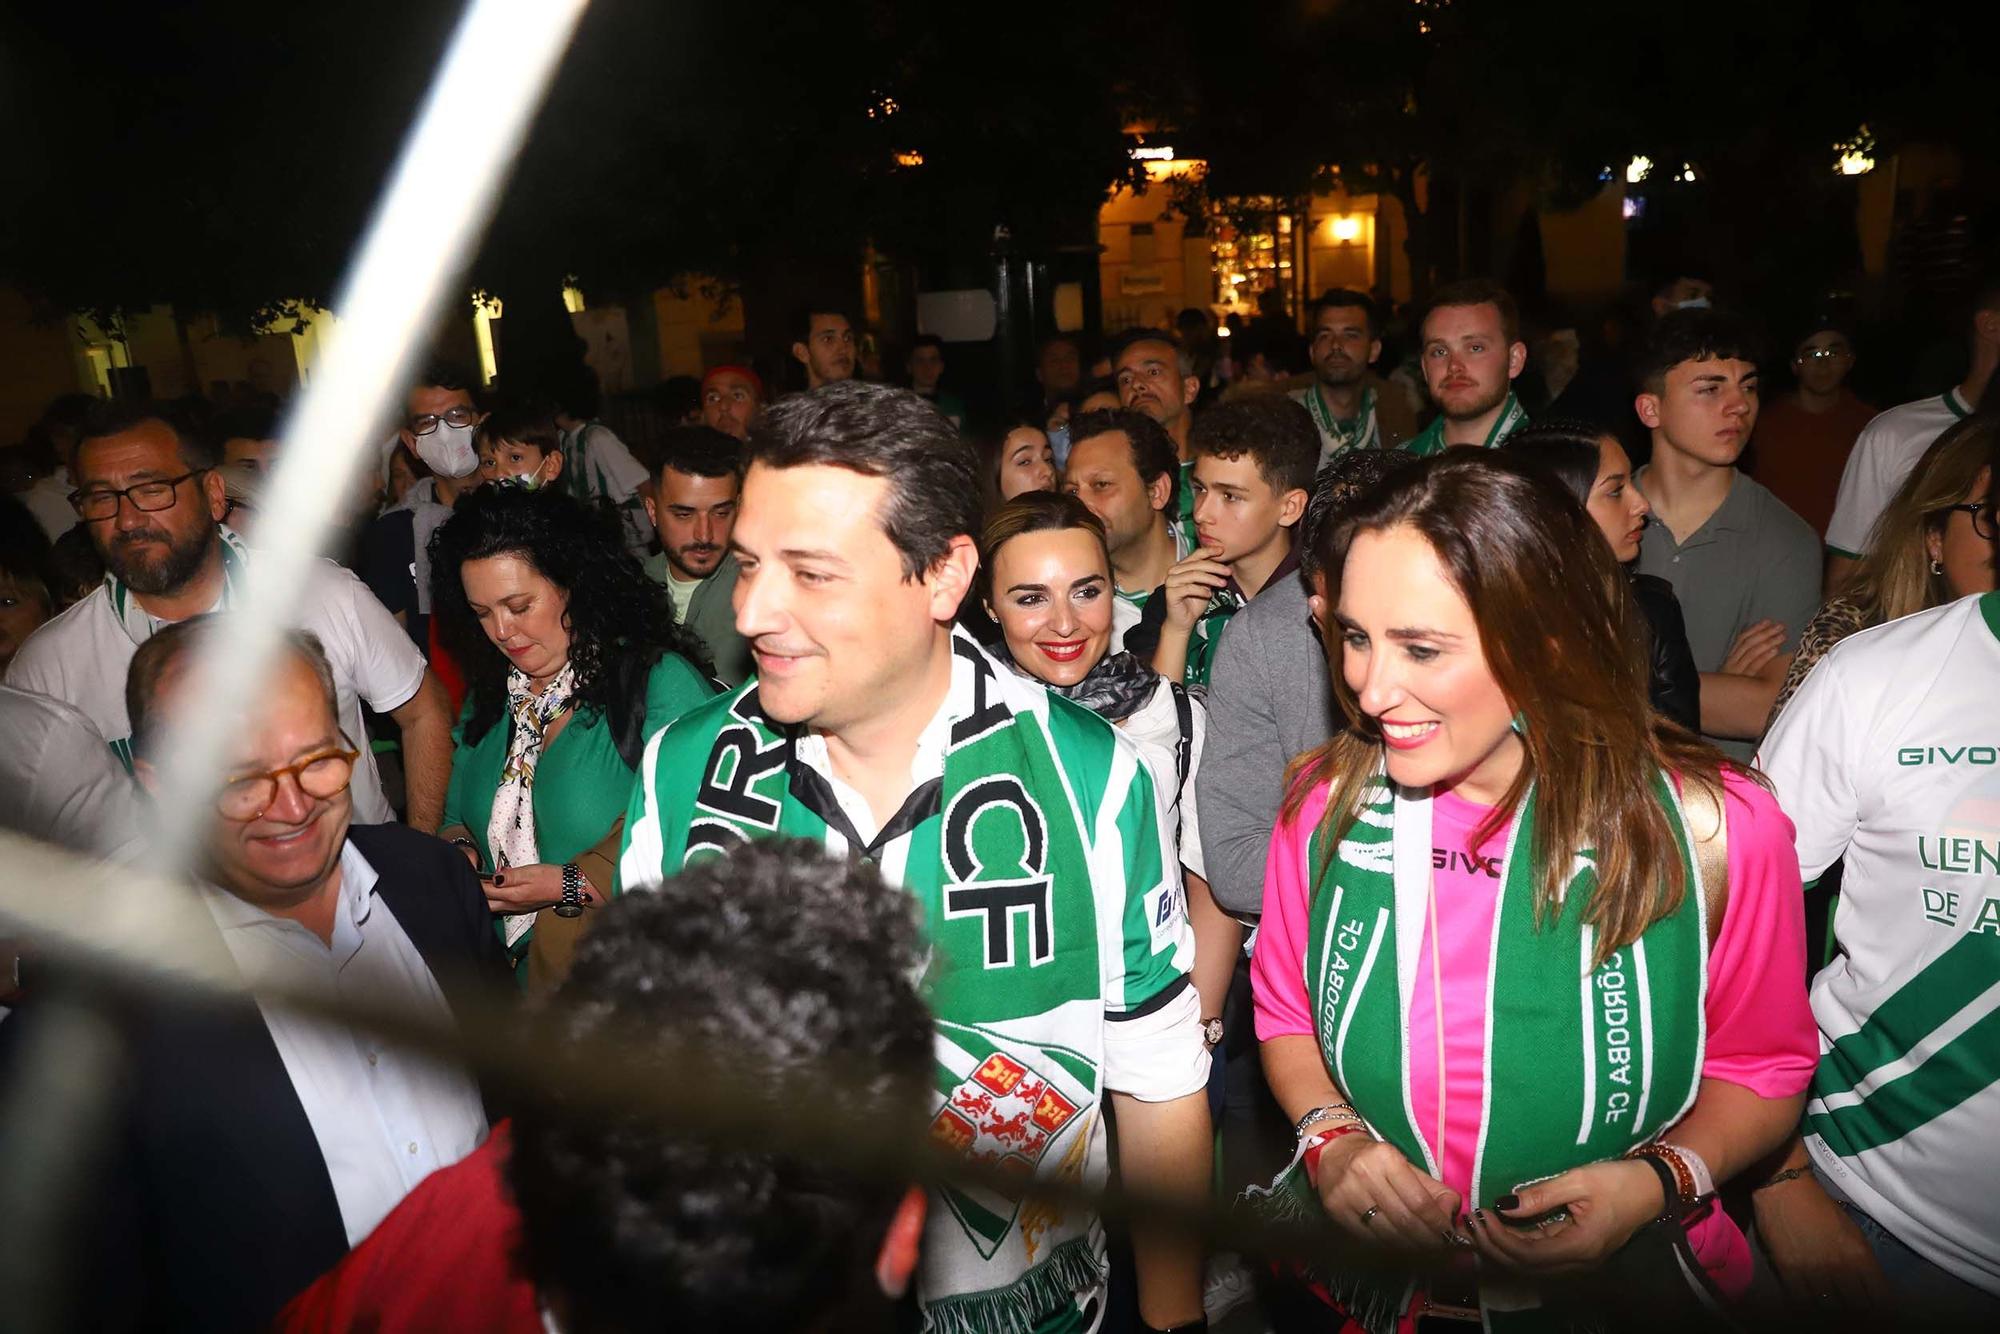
<point x="1471" y="357"/>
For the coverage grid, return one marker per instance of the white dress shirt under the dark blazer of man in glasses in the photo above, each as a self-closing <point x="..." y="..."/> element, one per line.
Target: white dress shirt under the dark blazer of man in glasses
<point x="385" y="1119"/>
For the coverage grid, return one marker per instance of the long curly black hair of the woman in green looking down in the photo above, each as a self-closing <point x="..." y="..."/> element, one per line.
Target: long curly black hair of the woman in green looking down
<point x="621" y="621"/>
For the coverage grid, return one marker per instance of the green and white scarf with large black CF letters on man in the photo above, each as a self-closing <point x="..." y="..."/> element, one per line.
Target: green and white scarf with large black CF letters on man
<point x="997" y="859"/>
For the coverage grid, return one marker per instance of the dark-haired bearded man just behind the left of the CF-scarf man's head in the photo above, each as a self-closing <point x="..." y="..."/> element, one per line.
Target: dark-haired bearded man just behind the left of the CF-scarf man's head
<point x="701" y="473"/>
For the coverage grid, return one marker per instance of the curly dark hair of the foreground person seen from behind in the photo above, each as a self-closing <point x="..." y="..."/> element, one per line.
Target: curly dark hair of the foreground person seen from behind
<point x="789" y="963"/>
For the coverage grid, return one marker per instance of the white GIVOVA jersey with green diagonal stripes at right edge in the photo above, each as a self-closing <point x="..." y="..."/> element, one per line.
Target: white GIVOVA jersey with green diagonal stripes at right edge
<point x="1891" y="757"/>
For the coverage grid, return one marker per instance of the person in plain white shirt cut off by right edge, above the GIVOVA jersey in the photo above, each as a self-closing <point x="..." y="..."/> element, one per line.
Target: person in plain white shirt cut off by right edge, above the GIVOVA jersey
<point x="1891" y="445"/>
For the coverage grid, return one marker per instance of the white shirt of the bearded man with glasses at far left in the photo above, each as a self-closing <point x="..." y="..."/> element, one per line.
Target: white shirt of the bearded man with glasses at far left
<point x="83" y="657"/>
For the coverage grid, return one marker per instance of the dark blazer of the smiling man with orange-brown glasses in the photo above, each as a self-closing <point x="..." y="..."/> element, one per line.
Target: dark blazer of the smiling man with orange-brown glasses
<point x="215" y="1205"/>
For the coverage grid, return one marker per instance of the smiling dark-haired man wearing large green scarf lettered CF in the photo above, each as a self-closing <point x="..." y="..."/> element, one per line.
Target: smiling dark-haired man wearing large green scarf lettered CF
<point x="1025" y="831"/>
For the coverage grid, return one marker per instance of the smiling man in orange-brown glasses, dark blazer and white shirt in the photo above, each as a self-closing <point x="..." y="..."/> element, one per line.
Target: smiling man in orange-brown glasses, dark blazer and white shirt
<point x="257" y="1145"/>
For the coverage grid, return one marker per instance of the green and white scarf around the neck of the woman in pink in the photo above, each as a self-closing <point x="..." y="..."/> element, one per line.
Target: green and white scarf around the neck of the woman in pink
<point x="1637" y="1021"/>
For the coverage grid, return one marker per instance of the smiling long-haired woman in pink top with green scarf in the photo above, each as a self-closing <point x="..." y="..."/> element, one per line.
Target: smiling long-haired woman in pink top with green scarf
<point x="1515" y="985"/>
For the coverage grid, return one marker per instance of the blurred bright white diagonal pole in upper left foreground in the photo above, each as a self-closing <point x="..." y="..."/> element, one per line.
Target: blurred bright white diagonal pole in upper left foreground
<point x="439" y="197"/>
